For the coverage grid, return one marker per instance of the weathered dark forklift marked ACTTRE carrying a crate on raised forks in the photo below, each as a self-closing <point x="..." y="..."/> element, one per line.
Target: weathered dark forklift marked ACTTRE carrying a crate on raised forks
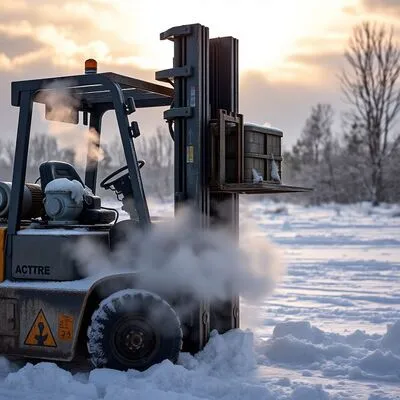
<point x="48" y="309"/>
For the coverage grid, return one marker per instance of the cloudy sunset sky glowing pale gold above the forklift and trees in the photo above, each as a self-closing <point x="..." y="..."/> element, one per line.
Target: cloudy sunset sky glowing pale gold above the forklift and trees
<point x="290" y="51"/>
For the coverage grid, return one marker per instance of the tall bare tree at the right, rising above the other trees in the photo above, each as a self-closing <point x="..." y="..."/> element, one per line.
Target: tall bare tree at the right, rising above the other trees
<point x="371" y="85"/>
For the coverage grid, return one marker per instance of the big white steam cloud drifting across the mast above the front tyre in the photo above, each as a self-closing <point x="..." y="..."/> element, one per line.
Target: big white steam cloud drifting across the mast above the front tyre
<point x="173" y="257"/>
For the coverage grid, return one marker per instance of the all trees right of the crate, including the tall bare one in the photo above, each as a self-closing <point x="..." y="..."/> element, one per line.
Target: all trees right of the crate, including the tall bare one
<point x="362" y="163"/>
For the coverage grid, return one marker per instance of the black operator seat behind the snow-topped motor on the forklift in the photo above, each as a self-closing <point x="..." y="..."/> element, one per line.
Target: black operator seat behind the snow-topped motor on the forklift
<point x="92" y="212"/>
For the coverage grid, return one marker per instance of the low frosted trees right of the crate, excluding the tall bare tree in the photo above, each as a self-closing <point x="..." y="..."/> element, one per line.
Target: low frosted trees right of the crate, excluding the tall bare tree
<point x="339" y="166"/>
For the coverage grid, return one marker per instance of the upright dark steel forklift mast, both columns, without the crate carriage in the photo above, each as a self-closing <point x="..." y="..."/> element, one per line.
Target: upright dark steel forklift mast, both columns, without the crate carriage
<point x="205" y="79"/>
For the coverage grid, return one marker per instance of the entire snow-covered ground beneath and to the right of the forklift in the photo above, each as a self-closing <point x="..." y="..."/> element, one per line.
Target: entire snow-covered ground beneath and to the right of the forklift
<point x="330" y="330"/>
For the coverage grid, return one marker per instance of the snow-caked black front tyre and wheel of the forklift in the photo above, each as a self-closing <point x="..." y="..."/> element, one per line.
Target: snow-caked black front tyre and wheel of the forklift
<point x="133" y="329"/>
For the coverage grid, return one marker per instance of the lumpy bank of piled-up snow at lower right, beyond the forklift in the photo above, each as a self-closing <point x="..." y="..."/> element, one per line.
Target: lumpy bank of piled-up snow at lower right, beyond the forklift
<point x="301" y="344"/>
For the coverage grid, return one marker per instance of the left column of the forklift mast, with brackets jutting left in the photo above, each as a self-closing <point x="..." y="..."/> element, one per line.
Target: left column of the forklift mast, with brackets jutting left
<point x="191" y="115"/>
